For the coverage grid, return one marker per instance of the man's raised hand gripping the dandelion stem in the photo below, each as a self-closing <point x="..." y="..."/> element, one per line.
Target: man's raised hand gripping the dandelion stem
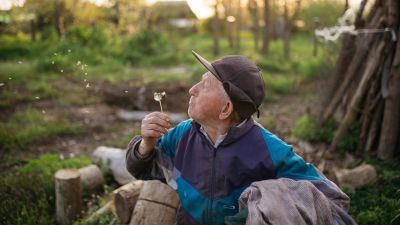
<point x="154" y="125"/>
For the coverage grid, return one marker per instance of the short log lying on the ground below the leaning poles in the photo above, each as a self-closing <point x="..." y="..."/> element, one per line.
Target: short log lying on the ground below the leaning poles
<point x="358" y="177"/>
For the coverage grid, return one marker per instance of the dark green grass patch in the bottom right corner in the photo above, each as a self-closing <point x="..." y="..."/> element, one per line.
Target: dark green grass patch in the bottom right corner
<point x="380" y="204"/>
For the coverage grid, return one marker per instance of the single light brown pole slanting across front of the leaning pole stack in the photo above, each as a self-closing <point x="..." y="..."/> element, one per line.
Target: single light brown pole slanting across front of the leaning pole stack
<point x="356" y="100"/>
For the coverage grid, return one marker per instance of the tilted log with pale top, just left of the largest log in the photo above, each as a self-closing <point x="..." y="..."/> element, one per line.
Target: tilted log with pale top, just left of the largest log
<point x="125" y="199"/>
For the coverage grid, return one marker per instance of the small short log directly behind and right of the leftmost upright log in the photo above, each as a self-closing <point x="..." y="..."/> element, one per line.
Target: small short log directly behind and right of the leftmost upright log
<point x="91" y="178"/>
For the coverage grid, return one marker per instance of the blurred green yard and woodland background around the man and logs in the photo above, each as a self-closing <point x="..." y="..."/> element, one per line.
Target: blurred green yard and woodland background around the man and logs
<point x="78" y="74"/>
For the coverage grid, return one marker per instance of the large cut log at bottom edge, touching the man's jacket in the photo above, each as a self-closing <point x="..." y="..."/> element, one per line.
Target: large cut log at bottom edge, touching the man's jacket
<point x="157" y="204"/>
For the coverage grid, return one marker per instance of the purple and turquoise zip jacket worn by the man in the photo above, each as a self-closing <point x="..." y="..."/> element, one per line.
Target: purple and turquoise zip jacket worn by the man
<point x="209" y="180"/>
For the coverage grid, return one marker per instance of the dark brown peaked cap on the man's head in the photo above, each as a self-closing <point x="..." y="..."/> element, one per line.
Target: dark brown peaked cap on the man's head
<point x="242" y="82"/>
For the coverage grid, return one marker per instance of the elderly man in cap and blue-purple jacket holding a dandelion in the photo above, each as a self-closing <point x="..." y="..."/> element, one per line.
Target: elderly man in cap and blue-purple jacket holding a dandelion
<point x="213" y="157"/>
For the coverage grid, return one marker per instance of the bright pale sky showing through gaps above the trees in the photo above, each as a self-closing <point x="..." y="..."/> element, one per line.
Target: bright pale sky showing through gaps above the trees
<point x="202" y="8"/>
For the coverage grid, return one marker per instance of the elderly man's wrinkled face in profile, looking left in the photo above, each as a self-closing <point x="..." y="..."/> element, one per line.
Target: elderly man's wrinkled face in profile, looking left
<point x="206" y="100"/>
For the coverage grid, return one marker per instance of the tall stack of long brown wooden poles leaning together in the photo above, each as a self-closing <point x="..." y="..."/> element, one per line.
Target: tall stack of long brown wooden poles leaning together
<point x="366" y="82"/>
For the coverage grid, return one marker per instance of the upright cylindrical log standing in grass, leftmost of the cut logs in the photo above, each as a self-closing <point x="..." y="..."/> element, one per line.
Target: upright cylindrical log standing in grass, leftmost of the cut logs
<point x="68" y="195"/>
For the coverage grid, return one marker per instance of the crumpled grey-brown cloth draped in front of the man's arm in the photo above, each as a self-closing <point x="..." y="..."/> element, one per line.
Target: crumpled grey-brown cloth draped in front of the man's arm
<point x="285" y="202"/>
